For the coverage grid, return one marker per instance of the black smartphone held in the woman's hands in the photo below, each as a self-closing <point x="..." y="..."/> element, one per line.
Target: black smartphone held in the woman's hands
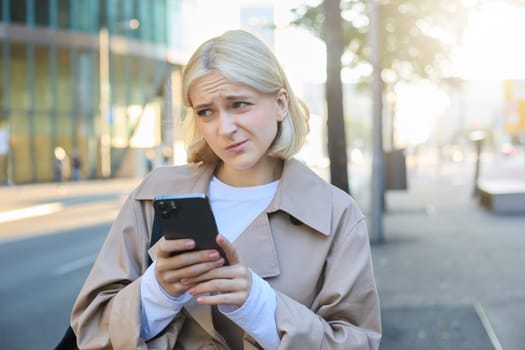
<point x="187" y="215"/>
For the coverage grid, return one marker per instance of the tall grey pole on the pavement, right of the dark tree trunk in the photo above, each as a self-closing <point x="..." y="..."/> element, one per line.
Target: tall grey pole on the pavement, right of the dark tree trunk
<point x="377" y="128"/>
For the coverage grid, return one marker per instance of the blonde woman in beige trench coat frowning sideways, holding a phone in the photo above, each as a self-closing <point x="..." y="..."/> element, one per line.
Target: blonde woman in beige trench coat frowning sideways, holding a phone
<point x="299" y="273"/>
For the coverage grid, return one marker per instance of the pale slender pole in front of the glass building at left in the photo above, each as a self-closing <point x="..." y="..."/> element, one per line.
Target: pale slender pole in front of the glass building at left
<point x="105" y="139"/>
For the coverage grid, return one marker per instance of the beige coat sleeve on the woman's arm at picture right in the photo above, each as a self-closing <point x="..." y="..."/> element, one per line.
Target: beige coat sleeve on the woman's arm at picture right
<point x="346" y="311"/>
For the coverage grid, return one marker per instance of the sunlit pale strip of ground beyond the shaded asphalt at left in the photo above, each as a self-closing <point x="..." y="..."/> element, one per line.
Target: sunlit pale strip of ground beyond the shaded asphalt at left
<point x="36" y="209"/>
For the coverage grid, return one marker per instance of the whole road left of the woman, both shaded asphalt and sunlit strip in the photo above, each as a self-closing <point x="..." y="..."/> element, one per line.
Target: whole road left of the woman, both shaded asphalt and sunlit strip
<point x="49" y="238"/>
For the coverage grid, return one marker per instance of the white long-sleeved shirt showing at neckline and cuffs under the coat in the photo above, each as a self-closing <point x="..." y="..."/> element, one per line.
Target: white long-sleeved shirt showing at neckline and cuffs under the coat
<point x="257" y="315"/>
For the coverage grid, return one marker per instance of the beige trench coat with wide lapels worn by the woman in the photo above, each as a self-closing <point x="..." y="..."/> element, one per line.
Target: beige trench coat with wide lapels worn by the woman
<point x="311" y="244"/>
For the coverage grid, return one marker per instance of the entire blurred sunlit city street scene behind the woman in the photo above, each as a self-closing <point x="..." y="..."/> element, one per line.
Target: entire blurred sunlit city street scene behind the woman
<point x="418" y="111"/>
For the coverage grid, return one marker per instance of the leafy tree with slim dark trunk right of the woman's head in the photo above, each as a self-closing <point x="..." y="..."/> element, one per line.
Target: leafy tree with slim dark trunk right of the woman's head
<point x="415" y="41"/>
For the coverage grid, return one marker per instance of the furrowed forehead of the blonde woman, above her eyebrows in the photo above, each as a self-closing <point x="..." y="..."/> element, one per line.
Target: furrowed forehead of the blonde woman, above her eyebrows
<point x="215" y="85"/>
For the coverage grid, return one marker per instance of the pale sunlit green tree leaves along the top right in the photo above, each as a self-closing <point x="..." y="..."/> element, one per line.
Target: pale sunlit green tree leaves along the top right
<point x="416" y="37"/>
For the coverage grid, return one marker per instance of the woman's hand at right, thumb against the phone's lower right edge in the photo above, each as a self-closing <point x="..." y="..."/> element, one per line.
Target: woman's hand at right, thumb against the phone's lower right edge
<point x="228" y="285"/>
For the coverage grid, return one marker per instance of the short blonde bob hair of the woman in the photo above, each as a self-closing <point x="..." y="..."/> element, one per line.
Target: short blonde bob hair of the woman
<point x="243" y="58"/>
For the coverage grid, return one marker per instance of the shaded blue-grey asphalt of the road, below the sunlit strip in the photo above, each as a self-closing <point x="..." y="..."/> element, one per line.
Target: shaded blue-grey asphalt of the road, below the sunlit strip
<point x="41" y="277"/>
